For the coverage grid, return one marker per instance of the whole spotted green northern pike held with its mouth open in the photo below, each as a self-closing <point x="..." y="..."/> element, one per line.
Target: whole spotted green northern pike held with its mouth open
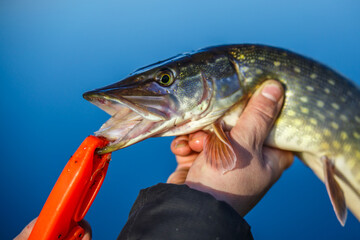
<point x="208" y="90"/>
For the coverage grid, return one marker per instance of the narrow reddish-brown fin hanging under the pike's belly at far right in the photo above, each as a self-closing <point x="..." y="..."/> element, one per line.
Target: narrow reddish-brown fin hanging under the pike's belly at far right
<point x="334" y="190"/>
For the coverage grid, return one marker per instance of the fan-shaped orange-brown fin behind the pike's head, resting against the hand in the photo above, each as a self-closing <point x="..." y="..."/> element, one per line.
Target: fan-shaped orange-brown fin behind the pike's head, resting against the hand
<point x="218" y="150"/>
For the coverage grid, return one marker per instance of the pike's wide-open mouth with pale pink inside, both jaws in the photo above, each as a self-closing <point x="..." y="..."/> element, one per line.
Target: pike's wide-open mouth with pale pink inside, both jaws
<point x="133" y="118"/>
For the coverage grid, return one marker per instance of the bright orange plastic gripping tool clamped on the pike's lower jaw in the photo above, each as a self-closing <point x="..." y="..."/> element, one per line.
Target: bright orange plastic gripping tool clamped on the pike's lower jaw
<point x="73" y="193"/>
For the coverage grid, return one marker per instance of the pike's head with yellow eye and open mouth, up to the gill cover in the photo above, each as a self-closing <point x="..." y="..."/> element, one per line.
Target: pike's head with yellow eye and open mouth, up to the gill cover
<point x="155" y="100"/>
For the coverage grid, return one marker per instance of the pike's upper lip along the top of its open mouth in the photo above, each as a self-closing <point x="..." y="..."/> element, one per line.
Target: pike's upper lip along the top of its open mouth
<point x="109" y="102"/>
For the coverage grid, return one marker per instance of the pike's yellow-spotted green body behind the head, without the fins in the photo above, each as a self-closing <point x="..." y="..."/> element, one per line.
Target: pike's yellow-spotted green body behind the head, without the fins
<point x="320" y="116"/>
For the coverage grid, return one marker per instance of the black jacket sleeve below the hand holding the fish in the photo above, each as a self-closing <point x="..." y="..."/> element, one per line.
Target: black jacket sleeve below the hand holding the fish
<point x="168" y="211"/>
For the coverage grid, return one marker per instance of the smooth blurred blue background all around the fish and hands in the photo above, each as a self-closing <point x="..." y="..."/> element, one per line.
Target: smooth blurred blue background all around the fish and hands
<point x="53" y="51"/>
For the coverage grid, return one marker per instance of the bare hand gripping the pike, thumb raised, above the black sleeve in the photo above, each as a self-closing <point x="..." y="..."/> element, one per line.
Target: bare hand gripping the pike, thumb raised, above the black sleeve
<point x="258" y="167"/>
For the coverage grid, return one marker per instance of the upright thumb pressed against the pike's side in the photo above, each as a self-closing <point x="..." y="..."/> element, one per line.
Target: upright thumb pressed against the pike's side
<point x="259" y="114"/>
